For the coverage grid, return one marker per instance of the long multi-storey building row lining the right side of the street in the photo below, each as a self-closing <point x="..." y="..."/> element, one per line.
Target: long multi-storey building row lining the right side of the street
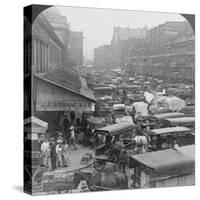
<point x="169" y="51"/>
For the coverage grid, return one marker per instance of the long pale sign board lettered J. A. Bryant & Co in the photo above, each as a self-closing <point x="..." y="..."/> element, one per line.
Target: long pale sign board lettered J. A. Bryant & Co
<point x="64" y="106"/>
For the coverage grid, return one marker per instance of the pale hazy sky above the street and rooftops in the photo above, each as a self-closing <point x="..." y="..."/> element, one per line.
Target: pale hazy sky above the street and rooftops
<point x="97" y="24"/>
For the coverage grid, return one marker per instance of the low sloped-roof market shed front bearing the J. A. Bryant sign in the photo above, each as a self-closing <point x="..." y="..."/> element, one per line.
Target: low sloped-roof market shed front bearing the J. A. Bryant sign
<point x="57" y="94"/>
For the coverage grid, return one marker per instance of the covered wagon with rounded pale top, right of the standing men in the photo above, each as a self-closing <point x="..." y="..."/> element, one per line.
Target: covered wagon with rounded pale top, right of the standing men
<point x="111" y="143"/>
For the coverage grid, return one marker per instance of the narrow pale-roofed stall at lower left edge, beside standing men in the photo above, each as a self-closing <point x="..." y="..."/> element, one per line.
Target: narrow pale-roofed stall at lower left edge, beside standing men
<point x="34" y="131"/>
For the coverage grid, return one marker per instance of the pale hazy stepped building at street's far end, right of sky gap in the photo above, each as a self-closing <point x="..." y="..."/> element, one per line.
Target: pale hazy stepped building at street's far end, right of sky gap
<point x="116" y="55"/>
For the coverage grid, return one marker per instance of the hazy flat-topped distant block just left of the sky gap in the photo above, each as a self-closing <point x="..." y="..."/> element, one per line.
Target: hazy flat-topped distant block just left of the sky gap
<point x="76" y="47"/>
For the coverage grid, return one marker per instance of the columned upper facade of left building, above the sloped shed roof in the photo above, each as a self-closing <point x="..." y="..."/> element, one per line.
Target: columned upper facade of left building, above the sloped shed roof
<point x="47" y="49"/>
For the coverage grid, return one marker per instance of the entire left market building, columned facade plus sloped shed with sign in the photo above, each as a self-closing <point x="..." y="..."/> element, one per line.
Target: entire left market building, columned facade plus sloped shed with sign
<point x="58" y="89"/>
